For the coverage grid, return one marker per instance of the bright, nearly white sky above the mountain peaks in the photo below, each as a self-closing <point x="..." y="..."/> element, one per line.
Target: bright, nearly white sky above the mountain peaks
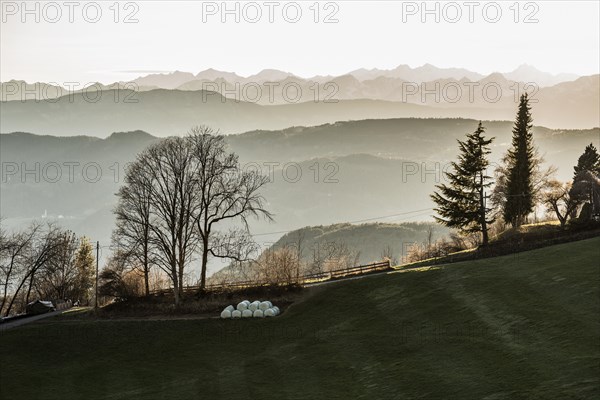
<point x="191" y="36"/>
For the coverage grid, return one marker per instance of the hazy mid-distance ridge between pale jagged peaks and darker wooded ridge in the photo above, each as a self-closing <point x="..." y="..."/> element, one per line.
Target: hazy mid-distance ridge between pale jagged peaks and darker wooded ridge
<point x="164" y="112"/>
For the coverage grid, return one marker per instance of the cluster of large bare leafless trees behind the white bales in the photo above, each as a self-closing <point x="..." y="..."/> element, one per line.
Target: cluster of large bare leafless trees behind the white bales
<point x="184" y="200"/>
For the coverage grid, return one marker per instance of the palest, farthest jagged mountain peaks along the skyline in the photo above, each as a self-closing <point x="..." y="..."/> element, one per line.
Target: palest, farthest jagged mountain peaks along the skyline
<point x="358" y="84"/>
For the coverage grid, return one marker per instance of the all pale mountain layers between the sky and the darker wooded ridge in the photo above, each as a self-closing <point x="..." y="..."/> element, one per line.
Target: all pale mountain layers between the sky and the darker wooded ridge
<point x="169" y="104"/>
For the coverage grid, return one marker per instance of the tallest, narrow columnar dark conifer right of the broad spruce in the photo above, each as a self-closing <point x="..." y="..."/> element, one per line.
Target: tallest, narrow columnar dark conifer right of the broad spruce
<point x="521" y="165"/>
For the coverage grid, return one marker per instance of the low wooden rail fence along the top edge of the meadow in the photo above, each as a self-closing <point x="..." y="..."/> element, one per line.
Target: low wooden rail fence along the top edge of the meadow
<point x="303" y="280"/>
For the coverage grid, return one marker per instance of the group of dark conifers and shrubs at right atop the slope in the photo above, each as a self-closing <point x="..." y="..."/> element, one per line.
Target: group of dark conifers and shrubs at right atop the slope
<point x="518" y="185"/>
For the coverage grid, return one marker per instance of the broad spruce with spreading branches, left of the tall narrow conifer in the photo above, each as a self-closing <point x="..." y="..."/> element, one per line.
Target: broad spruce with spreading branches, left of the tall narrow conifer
<point x="462" y="202"/>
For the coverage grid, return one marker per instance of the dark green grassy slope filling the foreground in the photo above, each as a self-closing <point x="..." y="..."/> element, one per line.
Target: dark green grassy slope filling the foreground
<point x="516" y="327"/>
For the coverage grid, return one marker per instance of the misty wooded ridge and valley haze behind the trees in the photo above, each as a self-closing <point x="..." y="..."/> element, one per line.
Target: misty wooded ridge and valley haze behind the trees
<point x="353" y="171"/>
